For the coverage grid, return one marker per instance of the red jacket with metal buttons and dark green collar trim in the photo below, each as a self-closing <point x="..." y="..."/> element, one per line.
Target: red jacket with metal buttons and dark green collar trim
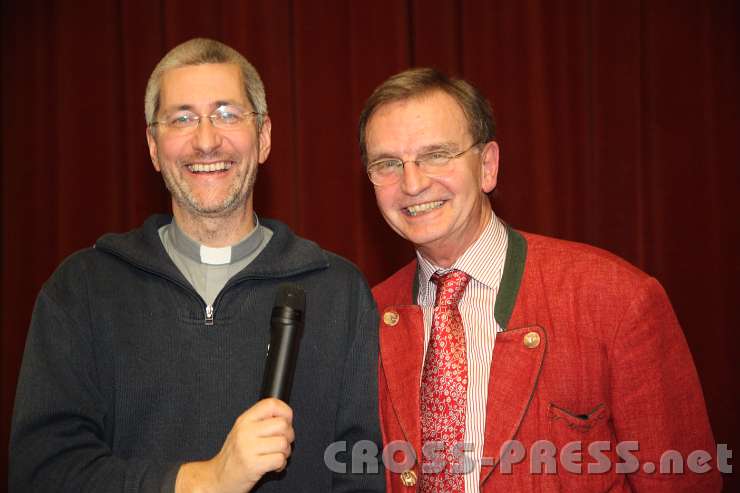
<point x="591" y="351"/>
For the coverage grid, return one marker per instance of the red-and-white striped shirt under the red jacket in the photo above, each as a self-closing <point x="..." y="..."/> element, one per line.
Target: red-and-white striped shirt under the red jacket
<point x="483" y="261"/>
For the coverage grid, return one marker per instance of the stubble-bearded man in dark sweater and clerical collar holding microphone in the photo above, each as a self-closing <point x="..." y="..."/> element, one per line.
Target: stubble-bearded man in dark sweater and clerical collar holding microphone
<point x="145" y="355"/>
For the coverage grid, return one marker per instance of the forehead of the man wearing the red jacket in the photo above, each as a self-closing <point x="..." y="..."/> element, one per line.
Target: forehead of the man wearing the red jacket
<point x="406" y="125"/>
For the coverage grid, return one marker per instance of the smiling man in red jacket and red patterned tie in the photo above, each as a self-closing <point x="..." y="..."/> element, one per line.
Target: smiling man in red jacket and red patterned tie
<point x="511" y="361"/>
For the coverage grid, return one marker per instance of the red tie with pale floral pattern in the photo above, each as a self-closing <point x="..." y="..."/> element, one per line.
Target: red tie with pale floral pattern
<point x="444" y="384"/>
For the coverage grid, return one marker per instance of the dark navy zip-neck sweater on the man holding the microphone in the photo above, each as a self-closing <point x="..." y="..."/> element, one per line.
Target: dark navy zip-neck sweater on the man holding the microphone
<point x="125" y="376"/>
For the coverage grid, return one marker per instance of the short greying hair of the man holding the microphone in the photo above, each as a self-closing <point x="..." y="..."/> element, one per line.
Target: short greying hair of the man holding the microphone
<point x="199" y="51"/>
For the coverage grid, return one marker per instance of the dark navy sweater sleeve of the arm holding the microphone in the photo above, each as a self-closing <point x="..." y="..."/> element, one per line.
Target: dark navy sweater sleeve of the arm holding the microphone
<point x="58" y="433"/>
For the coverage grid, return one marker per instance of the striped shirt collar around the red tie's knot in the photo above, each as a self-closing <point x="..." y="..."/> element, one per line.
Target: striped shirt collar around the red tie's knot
<point x="483" y="261"/>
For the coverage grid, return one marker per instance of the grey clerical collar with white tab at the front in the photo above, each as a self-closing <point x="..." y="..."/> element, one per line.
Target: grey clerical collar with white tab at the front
<point x="215" y="256"/>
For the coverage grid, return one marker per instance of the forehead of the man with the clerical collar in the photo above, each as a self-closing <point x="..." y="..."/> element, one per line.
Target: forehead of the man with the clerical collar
<point x="201" y="85"/>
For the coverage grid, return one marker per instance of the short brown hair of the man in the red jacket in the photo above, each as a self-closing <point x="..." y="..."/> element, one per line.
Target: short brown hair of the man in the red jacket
<point x="418" y="82"/>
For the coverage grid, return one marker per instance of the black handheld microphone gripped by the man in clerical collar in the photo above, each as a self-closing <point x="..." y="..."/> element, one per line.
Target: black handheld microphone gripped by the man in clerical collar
<point x="286" y="327"/>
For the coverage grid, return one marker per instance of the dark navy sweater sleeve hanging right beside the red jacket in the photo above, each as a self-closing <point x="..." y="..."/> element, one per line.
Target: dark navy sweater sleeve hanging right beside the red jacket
<point x="357" y="419"/>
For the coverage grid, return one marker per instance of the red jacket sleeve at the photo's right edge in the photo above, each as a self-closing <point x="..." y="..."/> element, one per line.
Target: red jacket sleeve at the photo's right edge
<point x="658" y="400"/>
